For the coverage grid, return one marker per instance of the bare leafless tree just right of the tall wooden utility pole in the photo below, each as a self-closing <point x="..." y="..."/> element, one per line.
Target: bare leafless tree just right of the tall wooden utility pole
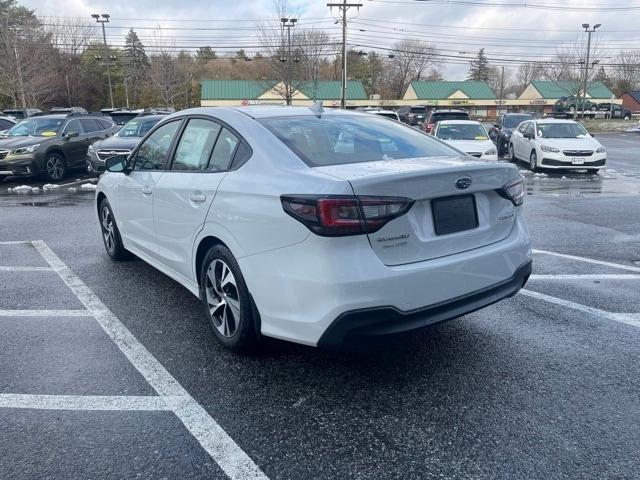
<point x="411" y="58"/>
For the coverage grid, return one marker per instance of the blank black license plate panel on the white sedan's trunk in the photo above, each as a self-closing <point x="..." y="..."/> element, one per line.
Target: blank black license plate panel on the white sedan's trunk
<point x="454" y="214"/>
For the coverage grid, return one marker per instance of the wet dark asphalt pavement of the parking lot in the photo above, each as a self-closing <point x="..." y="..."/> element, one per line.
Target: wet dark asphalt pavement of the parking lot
<point x="540" y="386"/>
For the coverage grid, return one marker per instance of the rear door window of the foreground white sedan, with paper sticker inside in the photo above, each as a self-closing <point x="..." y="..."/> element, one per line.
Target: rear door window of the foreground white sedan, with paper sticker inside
<point x="195" y="146"/>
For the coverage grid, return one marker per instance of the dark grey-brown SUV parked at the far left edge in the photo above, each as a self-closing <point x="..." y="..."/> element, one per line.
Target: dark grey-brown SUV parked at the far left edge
<point x="50" y="144"/>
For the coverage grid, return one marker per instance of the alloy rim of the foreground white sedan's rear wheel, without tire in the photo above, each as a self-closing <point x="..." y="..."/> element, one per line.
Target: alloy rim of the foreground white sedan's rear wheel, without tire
<point x="223" y="298"/>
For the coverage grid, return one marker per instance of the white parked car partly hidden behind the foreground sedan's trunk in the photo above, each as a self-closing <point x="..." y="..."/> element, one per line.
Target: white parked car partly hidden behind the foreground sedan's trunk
<point x="468" y="136"/>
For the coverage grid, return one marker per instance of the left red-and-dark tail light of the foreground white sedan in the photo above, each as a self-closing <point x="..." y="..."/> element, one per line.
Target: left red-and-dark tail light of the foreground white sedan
<point x="339" y="215"/>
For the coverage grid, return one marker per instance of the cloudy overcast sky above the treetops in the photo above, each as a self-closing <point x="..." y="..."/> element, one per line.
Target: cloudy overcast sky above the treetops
<point x="506" y="32"/>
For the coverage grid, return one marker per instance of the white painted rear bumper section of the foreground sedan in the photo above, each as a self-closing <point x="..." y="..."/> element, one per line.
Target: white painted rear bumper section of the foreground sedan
<point x="300" y="290"/>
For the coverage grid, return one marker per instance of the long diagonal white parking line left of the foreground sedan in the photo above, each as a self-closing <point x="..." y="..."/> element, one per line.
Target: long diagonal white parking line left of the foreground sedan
<point x="211" y="436"/>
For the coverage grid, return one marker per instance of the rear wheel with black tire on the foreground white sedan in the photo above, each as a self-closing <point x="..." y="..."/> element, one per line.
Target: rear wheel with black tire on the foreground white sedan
<point x="227" y="302"/>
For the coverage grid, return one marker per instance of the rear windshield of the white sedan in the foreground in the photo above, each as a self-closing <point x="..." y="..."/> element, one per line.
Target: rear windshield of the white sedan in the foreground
<point x="339" y="139"/>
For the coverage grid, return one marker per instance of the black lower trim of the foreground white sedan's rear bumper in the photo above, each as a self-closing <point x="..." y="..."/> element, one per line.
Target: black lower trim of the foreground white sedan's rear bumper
<point x="372" y="325"/>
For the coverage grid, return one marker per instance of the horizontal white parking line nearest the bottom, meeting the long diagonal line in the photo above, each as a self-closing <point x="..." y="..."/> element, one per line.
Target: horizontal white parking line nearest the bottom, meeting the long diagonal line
<point x="86" y="402"/>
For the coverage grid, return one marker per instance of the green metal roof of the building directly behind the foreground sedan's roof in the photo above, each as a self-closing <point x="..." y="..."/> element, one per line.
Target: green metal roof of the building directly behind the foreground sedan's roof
<point x="252" y="89"/>
